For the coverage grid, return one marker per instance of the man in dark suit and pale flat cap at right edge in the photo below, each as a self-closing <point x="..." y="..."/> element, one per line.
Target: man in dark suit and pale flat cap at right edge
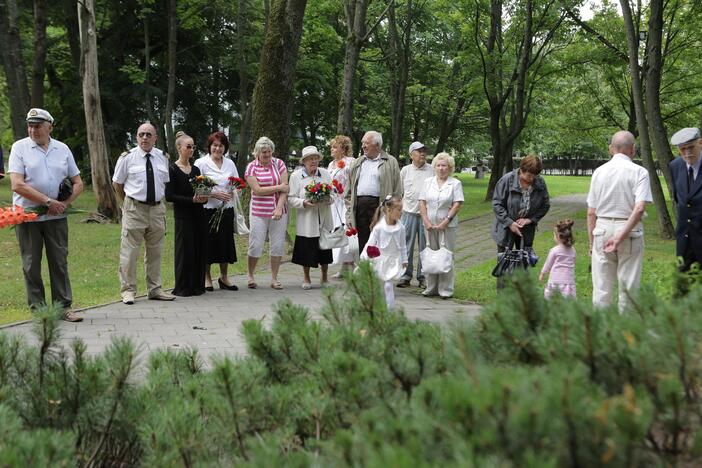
<point x="687" y="195"/>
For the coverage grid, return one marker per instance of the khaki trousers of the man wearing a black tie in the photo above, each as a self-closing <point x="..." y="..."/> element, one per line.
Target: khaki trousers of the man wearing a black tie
<point x="146" y="223"/>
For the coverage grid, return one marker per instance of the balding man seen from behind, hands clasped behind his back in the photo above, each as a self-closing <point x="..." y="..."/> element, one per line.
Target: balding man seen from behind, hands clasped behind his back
<point x="619" y="192"/>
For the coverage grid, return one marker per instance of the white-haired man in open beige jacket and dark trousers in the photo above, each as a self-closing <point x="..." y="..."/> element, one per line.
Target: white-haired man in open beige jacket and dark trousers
<point x="373" y="176"/>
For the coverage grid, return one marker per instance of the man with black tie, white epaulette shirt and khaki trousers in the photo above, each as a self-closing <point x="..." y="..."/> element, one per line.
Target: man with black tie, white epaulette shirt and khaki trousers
<point x="140" y="179"/>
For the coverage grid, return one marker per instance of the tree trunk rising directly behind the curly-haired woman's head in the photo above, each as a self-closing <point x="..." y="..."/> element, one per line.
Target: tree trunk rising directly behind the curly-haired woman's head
<point x="355" y="13"/>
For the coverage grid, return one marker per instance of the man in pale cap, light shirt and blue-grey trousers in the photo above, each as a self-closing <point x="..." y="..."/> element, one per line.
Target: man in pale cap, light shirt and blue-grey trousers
<point x="412" y="178"/>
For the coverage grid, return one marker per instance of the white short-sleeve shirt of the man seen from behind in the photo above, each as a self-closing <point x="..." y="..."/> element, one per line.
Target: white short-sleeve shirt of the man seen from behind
<point x="617" y="186"/>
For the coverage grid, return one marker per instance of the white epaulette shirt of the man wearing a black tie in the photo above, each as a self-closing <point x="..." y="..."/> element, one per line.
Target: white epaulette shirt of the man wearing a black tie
<point x="130" y="170"/>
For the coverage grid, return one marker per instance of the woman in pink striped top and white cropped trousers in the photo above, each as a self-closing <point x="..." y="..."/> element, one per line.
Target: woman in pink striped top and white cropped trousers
<point x="268" y="213"/>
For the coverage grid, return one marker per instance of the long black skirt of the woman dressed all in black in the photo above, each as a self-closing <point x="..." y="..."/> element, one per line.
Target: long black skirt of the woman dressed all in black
<point x="189" y="252"/>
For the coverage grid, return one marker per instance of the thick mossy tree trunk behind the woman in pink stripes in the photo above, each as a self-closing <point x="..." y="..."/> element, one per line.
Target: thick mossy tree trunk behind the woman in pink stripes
<point x="272" y="97"/>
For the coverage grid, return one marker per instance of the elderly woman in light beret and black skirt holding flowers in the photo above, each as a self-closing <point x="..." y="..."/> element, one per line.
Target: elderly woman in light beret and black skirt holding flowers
<point x="310" y="217"/>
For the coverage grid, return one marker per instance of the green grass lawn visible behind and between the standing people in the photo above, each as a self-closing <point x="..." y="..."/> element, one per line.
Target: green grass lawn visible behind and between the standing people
<point x="94" y="252"/>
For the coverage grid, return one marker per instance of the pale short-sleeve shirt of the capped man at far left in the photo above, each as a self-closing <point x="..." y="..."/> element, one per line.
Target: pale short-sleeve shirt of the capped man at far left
<point x="42" y="170"/>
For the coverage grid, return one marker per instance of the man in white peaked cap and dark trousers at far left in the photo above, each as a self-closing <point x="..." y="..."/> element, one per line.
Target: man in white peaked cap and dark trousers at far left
<point x="37" y="166"/>
